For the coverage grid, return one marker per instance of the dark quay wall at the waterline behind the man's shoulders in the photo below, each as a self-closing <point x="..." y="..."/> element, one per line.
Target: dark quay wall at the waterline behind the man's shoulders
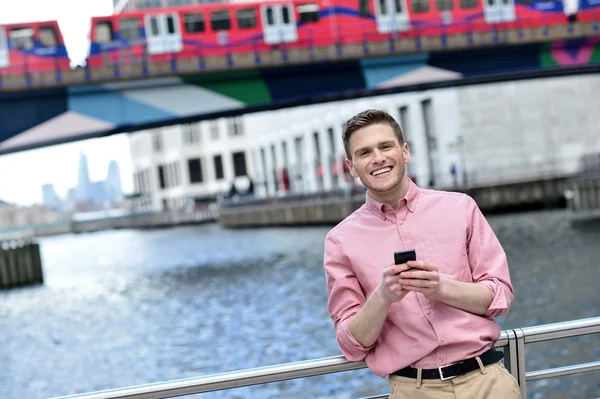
<point x="539" y="193"/>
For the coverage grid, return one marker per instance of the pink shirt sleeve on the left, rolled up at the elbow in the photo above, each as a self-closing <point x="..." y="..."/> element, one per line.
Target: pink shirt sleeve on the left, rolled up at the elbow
<point x="346" y="297"/>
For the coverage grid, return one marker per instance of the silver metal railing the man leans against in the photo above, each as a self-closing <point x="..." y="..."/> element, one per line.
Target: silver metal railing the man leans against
<point x="512" y="341"/>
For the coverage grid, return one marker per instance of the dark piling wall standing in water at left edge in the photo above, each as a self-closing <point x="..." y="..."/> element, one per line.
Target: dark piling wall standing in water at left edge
<point x="20" y="264"/>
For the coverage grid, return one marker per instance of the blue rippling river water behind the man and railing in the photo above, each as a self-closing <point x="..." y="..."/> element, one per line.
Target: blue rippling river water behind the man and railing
<point x="121" y="308"/>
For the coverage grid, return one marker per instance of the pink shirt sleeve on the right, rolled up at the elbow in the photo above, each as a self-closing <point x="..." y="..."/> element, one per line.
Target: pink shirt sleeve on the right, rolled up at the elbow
<point x="488" y="261"/>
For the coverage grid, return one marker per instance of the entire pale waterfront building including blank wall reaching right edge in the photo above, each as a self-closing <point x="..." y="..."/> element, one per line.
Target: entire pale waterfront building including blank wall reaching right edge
<point x="479" y="134"/>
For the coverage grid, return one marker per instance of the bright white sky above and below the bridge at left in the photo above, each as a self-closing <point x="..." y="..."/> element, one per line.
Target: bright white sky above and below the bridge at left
<point x="23" y="174"/>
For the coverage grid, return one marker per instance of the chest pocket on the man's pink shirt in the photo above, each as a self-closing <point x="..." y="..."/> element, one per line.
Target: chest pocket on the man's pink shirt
<point x="448" y="254"/>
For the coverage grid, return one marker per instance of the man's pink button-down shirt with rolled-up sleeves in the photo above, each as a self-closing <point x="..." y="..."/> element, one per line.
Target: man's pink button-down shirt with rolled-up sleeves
<point x="446" y="229"/>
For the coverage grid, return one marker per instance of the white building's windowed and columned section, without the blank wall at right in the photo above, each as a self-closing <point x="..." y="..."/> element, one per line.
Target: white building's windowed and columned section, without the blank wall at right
<point x="179" y="166"/>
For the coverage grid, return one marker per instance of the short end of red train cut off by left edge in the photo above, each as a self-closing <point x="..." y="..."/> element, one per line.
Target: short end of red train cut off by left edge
<point x="32" y="47"/>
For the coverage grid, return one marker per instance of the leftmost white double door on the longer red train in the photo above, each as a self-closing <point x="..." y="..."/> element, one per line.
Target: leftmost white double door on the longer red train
<point x="163" y="34"/>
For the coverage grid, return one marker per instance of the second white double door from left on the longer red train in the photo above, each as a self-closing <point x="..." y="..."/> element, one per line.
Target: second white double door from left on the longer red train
<point x="279" y="23"/>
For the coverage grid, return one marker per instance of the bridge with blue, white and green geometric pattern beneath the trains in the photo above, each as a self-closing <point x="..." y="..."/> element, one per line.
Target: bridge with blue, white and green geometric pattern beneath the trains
<point x="52" y="107"/>
